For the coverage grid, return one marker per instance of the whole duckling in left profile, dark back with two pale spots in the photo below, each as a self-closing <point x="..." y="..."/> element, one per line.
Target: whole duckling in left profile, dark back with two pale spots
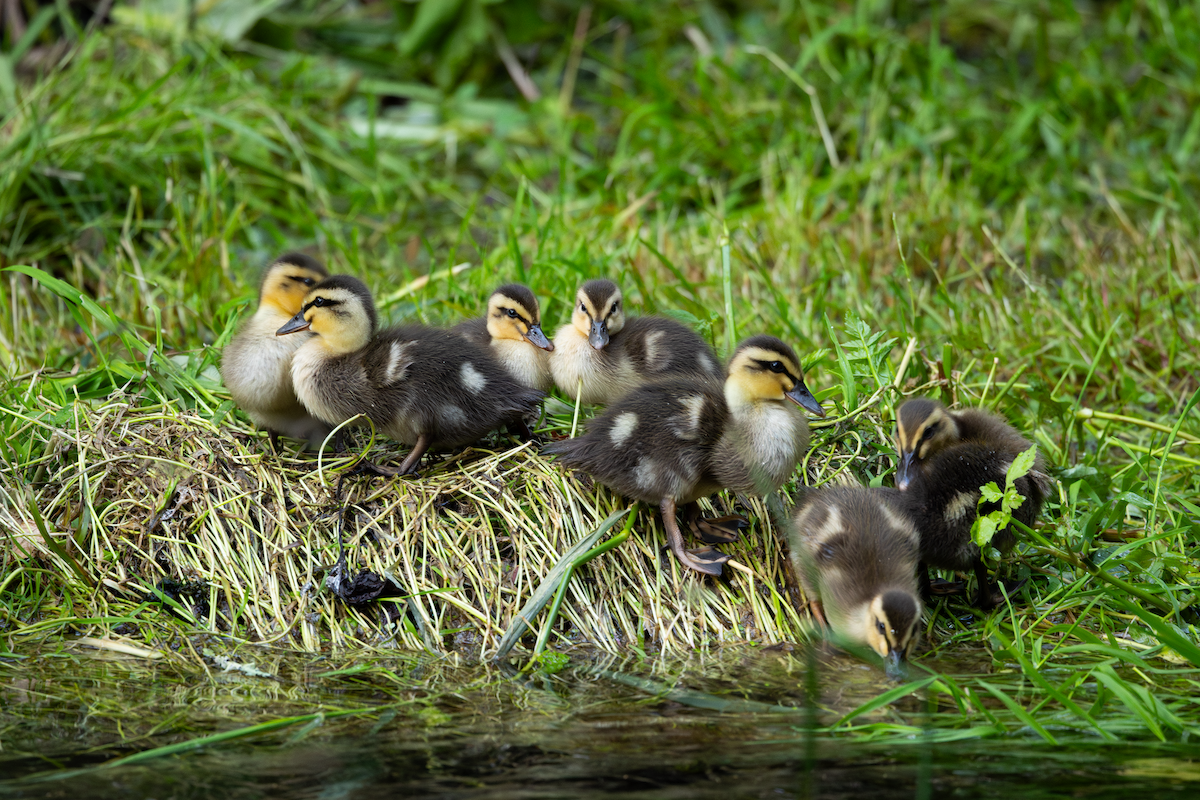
<point x="423" y="387"/>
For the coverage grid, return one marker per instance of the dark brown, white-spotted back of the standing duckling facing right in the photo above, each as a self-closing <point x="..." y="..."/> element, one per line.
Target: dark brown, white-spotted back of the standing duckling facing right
<point x="655" y="443"/>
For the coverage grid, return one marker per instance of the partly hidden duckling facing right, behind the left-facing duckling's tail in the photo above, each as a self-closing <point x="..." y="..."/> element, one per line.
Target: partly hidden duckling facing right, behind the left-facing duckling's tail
<point x="513" y="330"/>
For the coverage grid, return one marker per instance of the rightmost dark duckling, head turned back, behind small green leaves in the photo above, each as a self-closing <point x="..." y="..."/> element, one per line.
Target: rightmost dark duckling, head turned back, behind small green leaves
<point x="945" y="458"/>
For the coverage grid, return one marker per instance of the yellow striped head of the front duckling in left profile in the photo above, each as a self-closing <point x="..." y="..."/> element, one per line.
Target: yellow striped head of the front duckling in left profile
<point x="340" y="311"/>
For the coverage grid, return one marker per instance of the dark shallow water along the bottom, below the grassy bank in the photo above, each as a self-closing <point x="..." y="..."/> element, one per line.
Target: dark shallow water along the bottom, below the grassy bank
<point x="731" y="725"/>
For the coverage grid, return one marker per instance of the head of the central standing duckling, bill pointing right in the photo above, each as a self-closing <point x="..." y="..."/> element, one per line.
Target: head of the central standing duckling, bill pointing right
<point x="764" y="369"/>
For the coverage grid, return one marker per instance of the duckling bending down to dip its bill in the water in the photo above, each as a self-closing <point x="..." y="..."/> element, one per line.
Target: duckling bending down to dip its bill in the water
<point x="856" y="556"/>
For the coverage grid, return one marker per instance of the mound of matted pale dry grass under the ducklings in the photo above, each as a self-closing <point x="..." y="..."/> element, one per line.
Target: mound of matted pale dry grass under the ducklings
<point x="239" y="539"/>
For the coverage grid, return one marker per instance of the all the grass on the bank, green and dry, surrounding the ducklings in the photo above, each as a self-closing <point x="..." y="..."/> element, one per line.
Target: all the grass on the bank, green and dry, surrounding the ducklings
<point x="999" y="208"/>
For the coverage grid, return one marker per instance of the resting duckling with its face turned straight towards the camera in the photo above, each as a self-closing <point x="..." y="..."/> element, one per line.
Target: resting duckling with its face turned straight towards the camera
<point x="613" y="354"/>
